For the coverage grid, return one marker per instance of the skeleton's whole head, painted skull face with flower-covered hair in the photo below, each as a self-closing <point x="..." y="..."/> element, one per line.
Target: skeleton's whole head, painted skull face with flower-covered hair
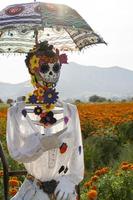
<point x="44" y="63"/>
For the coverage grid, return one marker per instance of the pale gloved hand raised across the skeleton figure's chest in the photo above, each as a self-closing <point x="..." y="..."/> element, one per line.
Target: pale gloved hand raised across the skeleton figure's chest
<point x="51" y="141"/>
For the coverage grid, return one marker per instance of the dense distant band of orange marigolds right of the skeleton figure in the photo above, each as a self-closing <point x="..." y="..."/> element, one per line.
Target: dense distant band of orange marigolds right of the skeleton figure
<point x="106" y="114"/>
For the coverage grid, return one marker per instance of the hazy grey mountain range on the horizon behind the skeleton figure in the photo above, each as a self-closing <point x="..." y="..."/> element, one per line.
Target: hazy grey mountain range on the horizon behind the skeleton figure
<point x="79" y="81"/>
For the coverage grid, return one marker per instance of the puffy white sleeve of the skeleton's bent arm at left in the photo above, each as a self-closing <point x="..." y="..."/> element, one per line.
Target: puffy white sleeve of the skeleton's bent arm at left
<point x="22" y="141"/>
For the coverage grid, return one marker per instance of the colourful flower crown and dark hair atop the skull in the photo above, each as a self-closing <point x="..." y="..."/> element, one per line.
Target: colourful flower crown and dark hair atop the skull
<point x="43" y="52"/>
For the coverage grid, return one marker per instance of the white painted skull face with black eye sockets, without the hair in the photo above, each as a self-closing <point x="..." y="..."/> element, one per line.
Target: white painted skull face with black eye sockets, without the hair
<point x="49" y="72"/>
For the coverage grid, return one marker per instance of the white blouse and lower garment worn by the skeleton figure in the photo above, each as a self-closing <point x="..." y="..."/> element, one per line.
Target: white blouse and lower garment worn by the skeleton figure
<point x="24" y="146"/>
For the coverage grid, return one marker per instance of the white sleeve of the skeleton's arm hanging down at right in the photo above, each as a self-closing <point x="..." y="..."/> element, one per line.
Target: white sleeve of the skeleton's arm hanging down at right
<point x="76" y="167"/>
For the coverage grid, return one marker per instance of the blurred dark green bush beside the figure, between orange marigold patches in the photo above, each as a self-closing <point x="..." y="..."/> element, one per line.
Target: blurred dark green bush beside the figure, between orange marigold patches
<point x="101" y="150"/>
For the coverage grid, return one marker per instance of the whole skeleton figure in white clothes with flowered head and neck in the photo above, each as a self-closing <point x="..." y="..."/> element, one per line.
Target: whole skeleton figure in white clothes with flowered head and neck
<point x="44" y="133"/>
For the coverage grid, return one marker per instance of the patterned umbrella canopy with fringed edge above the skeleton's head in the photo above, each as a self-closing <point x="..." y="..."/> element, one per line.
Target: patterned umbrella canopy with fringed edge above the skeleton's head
<point x="24" y="25"/>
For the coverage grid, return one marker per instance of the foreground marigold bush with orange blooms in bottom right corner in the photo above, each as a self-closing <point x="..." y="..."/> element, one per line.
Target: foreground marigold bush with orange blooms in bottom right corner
<point x="111" y="184"/>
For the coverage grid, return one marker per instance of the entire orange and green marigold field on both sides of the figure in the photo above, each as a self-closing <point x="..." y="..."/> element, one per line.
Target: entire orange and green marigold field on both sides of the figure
<point x="107" y="130"/>
